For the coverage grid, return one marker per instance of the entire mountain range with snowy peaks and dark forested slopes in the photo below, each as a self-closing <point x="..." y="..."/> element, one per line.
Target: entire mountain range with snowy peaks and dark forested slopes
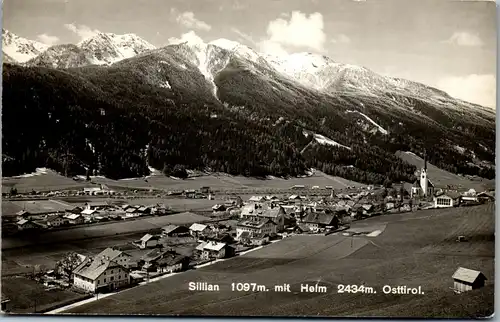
<point x="116" y="105"/>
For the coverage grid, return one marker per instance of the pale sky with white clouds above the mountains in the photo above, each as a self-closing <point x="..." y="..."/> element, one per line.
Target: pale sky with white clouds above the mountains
<point x="446" y="44"/>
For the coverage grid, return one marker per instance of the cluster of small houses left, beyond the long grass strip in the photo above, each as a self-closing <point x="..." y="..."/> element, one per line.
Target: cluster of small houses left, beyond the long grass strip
<point x="91" y="212"/>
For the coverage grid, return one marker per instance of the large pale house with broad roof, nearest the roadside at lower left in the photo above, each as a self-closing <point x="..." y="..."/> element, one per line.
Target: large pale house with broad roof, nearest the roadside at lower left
<point x="100" y="274"/>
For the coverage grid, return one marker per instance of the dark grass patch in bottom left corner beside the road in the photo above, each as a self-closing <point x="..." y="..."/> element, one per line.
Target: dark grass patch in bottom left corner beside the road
<point x="28" y="295"/>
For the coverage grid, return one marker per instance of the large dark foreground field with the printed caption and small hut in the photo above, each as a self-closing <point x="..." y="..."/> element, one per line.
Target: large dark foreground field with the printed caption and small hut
<point x="415" y="249"/>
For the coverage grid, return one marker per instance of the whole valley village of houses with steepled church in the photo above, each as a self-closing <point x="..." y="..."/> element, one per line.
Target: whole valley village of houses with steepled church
<point x="232" y="227"/>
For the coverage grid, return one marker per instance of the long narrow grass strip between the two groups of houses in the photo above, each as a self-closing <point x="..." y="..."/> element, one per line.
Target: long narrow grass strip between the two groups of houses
<point x="104" y="230"/>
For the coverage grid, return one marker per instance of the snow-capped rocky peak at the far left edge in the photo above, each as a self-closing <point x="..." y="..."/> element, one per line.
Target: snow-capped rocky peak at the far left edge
<point x="20" y="49"/>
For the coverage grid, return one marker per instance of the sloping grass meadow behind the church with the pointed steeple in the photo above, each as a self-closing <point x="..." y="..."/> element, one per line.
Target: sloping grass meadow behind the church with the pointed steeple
<point x="442" y="178"/>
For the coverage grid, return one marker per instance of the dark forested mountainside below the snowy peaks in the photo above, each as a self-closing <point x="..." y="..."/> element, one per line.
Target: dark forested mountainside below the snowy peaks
<point x="118" y="120"/>
